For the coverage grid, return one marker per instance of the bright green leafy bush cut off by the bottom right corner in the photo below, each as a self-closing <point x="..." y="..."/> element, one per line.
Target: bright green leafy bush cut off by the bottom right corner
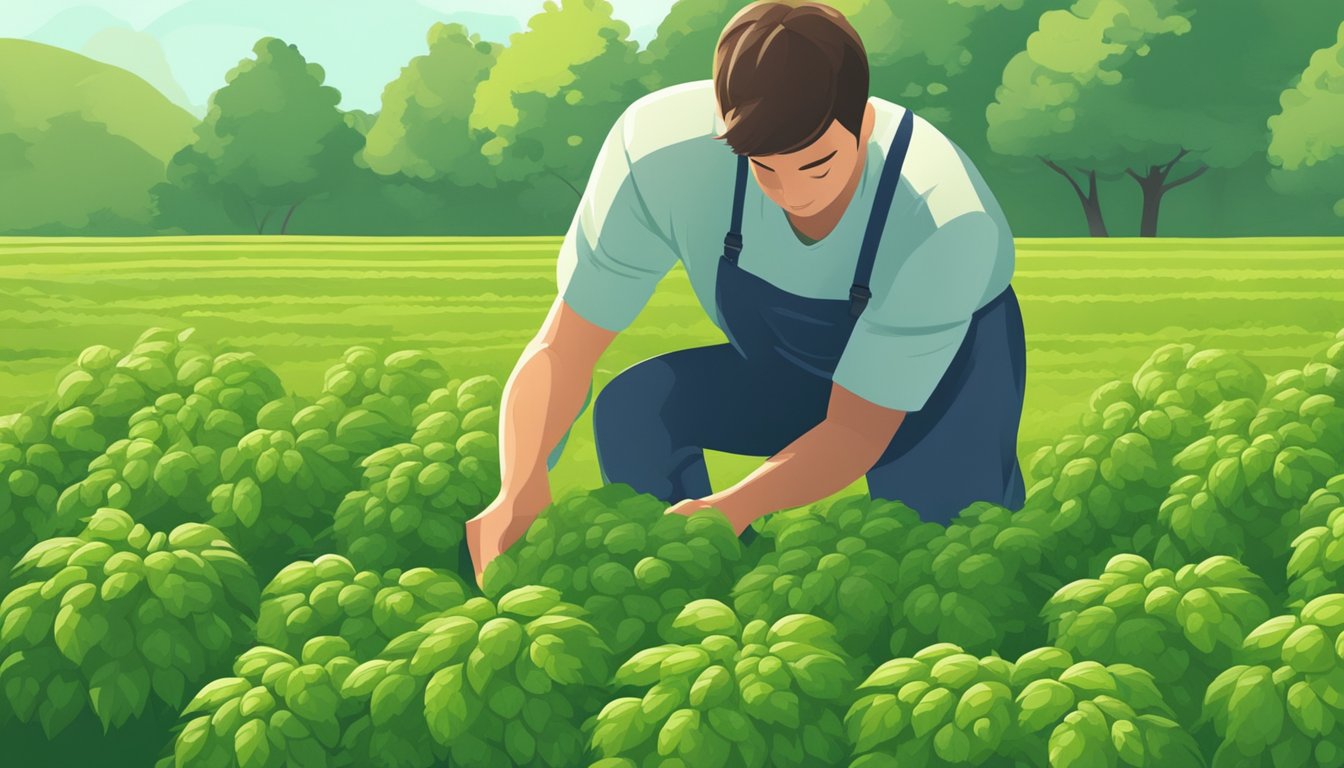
<point x="1279" y="705"/>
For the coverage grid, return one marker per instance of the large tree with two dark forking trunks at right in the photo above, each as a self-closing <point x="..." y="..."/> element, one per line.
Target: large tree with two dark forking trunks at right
<point x="1127" y="88"/>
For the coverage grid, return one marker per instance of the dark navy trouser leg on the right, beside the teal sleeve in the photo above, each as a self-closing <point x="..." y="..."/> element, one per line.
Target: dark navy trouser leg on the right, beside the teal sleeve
<point x="963" y="446"/>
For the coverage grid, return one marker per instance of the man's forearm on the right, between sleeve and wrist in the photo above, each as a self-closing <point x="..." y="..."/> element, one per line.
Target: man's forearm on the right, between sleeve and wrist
<point x="822" y="462"/>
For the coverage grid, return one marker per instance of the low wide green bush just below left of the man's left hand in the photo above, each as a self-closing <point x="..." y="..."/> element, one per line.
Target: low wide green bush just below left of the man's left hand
<point x="329" y="597"/>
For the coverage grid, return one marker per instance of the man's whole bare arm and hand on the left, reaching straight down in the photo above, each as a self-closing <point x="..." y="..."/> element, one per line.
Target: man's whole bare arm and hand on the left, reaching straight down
<point x="542" y="400"/>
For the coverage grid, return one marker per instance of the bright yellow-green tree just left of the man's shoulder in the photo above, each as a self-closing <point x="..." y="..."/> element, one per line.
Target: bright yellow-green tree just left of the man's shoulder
<point x="556" y="92"/>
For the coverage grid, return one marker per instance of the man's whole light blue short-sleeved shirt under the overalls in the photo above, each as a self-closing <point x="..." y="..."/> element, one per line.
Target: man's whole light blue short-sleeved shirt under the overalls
<point x="662" y="192"/>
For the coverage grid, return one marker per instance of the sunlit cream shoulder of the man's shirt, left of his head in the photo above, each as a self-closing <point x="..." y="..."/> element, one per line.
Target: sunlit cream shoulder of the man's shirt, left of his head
<point x="670" y="118"/>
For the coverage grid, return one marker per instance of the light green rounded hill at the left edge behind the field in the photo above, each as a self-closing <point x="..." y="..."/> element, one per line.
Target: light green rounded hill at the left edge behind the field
<point x="81" y="143"/>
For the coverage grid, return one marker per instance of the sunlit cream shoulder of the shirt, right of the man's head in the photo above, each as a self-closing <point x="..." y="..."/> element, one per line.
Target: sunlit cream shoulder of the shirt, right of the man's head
<point x="936" y="171"/>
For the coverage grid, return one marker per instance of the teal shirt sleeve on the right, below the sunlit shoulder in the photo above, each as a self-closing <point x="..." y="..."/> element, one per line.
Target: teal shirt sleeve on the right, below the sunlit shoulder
<point x="908" y="336"/>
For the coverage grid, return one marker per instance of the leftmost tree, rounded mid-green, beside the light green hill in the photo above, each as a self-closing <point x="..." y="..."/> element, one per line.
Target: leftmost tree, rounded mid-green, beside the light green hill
<point x="272" y="139"/>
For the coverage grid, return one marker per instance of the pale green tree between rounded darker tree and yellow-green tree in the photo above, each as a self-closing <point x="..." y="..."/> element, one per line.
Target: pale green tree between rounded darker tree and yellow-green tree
<point x="423" y="130"/>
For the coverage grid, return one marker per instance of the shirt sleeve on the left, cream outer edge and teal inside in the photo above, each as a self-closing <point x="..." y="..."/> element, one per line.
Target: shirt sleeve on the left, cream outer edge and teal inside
<point x="614" y="254"/>
